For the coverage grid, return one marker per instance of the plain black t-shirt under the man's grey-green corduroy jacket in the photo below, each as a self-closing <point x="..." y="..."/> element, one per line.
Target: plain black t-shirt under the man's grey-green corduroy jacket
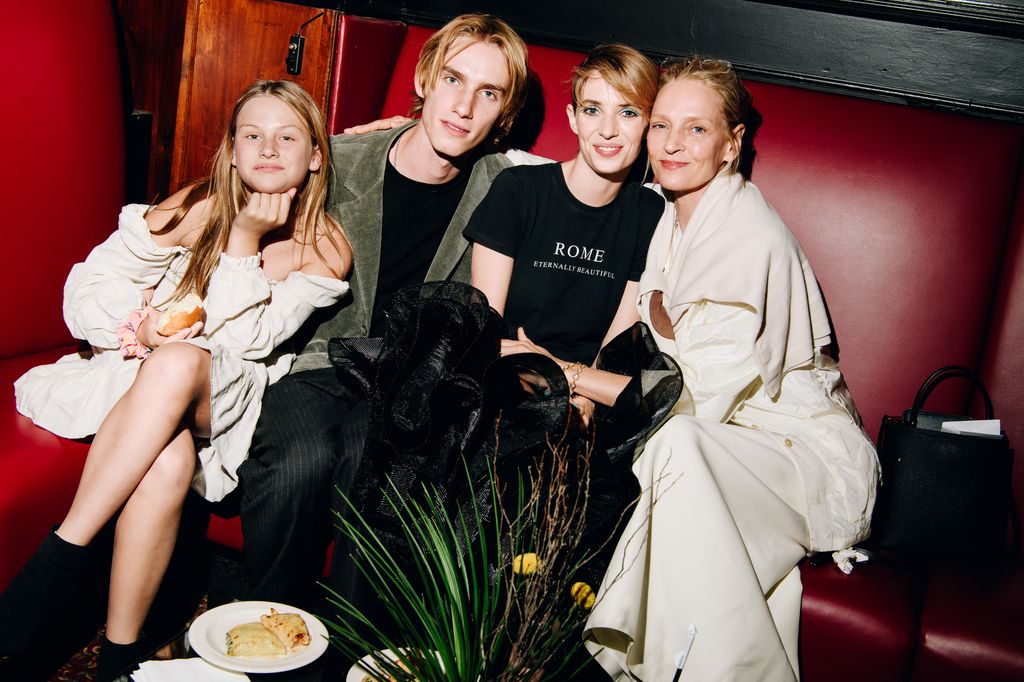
<point x="416" y="218"/>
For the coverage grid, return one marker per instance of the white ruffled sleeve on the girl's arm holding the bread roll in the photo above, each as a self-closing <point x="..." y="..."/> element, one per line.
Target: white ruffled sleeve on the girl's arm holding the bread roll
<point x="102" y="291"/>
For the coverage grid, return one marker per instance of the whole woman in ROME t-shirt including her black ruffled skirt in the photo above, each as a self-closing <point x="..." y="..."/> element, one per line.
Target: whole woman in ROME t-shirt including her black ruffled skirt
<point x="559" y="251"/>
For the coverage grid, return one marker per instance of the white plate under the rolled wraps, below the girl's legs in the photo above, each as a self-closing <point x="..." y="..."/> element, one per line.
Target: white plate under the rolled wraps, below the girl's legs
<point x="206" y="636"/>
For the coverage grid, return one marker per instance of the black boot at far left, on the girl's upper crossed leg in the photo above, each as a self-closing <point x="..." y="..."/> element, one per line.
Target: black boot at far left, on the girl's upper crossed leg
<point x="50" y="579"/>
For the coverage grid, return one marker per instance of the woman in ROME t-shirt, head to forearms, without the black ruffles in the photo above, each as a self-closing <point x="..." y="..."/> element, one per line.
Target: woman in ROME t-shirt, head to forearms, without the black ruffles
<point x="559" y="249"/>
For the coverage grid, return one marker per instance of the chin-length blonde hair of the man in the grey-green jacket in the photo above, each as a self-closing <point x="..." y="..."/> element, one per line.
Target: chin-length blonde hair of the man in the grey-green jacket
<point x="477" y="28"/>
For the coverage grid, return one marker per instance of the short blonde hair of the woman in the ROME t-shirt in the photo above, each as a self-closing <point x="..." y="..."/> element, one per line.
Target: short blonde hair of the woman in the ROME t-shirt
<point x="630" y="73"/>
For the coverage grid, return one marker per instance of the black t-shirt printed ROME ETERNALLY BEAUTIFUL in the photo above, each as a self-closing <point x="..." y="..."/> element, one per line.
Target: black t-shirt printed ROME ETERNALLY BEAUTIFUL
<point x="572" y="261"/>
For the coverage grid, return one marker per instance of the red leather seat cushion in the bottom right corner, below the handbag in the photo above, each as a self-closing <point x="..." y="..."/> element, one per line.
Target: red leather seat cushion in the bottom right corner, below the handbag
<point x="972" y="625"/>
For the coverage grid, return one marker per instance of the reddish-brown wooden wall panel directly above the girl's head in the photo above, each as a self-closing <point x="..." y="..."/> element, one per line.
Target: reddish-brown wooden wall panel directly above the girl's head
<point x="228" y="46"/>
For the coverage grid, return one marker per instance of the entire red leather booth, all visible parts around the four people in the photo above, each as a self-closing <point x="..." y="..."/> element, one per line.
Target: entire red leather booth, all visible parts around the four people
<point x="912" y="219"/>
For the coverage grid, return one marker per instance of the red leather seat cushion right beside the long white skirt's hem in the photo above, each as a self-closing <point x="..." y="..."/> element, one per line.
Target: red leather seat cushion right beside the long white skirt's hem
<point x="859" y="627"/>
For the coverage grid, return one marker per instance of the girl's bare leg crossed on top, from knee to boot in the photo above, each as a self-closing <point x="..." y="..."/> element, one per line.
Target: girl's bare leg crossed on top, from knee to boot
<point x="173" y="387"/>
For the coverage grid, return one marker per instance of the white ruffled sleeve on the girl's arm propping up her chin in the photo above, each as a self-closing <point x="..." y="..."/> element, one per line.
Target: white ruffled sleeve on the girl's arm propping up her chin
<point x="249" y="316"/>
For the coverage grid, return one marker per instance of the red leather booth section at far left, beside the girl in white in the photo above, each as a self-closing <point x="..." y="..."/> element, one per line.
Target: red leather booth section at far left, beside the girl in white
<point x="65" y="177"/>
